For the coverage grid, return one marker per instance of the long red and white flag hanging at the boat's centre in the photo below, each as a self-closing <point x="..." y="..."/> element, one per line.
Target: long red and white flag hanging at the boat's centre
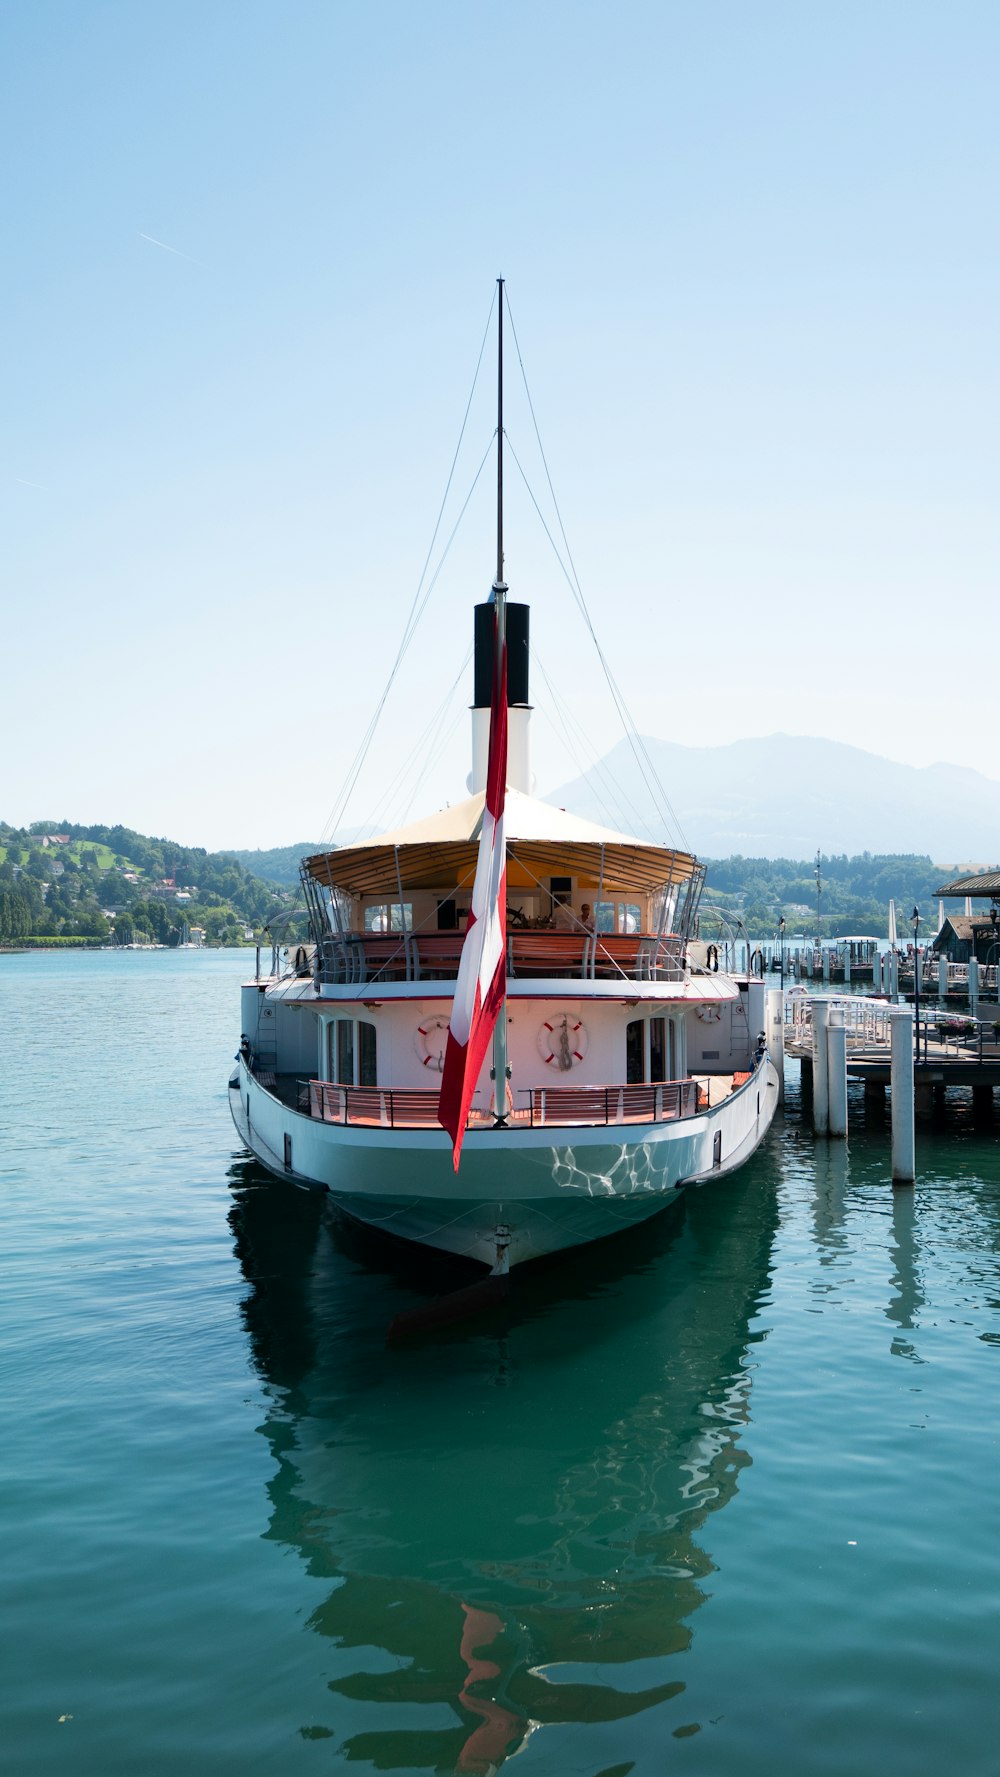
<point x="482" y="971"/>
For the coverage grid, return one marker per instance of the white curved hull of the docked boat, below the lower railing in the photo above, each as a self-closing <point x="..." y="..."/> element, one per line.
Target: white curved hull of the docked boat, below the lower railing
<point x="552" y="1188"/>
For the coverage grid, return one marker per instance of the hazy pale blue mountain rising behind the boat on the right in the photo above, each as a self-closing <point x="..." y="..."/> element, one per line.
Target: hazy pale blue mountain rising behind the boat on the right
<point x="791" y="795"/>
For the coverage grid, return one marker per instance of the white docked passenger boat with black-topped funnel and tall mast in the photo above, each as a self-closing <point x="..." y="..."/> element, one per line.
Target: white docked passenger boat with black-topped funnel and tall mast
<point x="623" y="1062"/>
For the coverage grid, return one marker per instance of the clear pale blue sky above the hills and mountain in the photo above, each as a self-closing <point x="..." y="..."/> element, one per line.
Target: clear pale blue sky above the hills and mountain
<point x="250" y="259"/>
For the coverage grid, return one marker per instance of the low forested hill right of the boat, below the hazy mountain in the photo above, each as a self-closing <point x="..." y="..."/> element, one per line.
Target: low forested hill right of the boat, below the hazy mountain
<point x="853" y="893"/>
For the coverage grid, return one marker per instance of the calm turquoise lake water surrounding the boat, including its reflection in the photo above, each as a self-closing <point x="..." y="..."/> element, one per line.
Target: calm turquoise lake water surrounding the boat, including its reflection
<point x="720" y="1497"/>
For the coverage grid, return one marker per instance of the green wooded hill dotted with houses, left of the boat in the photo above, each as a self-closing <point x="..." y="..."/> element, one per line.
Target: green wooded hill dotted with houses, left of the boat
<point x="68" y="882"/>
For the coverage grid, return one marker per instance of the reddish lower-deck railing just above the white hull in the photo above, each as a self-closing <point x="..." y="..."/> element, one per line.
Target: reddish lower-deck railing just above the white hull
<point x="539" y="1106"/>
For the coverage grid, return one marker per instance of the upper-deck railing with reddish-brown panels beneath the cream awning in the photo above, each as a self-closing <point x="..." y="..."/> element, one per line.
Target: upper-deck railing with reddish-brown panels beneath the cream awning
<point x="383" y="959"/>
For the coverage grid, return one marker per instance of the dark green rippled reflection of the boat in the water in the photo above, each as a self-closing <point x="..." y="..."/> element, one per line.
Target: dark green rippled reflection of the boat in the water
<point x="511" y="1517"/>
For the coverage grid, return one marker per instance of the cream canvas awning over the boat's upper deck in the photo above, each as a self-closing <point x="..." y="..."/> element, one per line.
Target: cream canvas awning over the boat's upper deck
<point x="541" y="841"/>
